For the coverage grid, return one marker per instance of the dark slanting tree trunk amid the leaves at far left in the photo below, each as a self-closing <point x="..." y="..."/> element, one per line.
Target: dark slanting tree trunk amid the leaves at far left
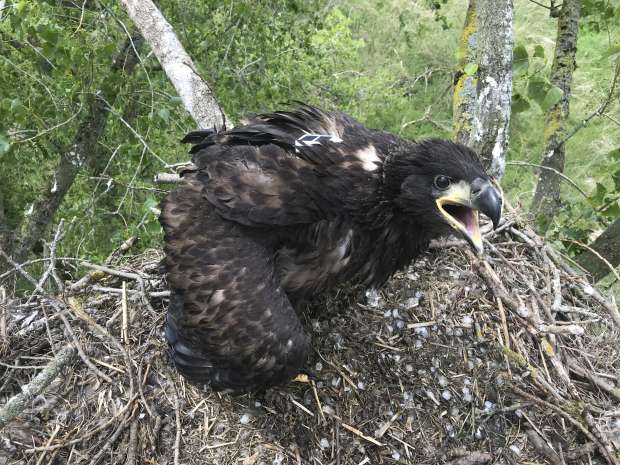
<point x="83" y="152"/>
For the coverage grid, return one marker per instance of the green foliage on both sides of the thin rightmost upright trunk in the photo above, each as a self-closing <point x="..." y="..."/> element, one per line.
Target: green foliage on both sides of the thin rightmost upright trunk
<point x="591" y="160"/>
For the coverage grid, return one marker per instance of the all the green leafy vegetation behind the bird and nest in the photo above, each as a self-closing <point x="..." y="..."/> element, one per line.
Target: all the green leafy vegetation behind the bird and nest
<point x="389" y="63"/>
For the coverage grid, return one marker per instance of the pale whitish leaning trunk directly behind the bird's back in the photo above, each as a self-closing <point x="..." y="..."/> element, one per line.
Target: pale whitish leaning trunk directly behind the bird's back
<point x="195" y="93"/>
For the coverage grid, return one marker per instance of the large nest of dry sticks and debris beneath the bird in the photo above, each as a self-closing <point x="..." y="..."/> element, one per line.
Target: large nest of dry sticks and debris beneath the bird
<point x="467" y="380"/>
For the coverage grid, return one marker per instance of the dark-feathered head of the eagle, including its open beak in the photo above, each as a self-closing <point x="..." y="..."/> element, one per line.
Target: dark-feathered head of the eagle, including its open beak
<point x="443" y="187"/>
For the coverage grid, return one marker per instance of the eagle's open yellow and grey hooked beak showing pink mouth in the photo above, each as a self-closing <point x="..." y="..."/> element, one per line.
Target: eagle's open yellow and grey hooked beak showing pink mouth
<point x="463" y="202"/>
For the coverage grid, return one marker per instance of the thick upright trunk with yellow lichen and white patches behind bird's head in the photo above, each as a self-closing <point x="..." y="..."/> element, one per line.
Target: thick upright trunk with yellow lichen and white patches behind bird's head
<point x="482" y="94"/>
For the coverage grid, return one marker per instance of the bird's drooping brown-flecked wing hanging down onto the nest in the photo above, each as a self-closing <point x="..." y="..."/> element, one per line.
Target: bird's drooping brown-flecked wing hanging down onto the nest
<point x="229" y="322"/>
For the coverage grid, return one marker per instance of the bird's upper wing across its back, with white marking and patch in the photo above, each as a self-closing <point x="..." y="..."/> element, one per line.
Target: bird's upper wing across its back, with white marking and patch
<point x="288" y="168"/>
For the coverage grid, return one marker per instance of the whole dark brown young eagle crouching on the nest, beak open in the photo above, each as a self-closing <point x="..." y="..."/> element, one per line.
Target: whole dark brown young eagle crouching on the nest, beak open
<point x="283" y="208"/>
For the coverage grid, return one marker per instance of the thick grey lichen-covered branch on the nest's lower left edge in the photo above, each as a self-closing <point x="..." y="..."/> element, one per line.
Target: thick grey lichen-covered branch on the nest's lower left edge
<point x="21" y="401"/>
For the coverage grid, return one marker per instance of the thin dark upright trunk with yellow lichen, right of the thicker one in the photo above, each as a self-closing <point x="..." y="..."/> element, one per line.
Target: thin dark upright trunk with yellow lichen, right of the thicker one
<point x="547" y="196"/>
